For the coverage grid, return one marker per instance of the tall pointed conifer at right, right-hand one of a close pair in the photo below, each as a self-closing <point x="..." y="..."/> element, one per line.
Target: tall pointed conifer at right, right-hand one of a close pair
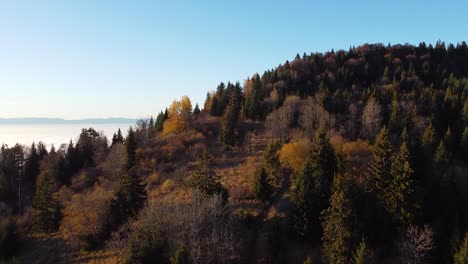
<point x="399" y="191"/>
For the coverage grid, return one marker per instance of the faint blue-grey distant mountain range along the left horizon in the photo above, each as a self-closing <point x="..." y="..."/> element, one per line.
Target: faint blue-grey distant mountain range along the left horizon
<point x="56" y="121"/>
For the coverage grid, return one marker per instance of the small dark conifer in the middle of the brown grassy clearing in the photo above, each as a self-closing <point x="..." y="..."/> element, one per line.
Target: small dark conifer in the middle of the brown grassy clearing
<point x="205" y="179"/>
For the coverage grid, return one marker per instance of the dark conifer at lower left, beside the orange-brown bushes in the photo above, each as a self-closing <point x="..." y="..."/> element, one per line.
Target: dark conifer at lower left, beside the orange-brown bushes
<point x="46" y="208"/>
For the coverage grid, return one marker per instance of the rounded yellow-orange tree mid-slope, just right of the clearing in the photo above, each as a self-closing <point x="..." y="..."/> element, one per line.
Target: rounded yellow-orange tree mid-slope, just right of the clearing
<point x="294" y="154"/>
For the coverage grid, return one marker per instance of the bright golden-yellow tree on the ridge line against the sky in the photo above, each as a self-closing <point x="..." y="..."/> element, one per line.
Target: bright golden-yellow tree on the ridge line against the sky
<point x="180" y="113"/>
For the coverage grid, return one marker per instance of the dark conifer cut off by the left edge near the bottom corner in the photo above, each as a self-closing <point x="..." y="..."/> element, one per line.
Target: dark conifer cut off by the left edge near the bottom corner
<point x="9" y="241"/>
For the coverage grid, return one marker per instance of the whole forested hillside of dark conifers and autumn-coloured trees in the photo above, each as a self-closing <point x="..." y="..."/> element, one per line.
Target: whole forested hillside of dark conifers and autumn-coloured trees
<point x="357" y="156"/>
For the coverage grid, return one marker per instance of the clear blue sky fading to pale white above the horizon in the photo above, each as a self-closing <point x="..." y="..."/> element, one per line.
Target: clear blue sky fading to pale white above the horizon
<point x="99" y="58"/>
